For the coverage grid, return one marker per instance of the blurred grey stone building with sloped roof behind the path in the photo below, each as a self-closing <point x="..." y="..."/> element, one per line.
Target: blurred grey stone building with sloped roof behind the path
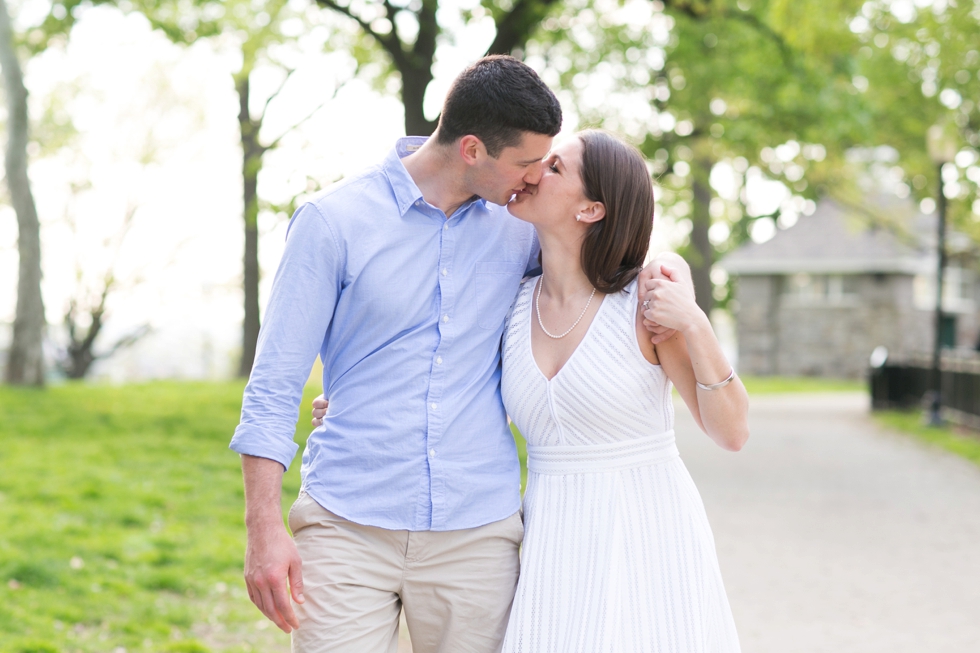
<point x="820" y="296"/>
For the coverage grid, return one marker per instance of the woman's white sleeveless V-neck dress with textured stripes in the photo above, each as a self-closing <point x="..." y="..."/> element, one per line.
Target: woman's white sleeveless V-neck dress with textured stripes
<point x="618" y="556"/>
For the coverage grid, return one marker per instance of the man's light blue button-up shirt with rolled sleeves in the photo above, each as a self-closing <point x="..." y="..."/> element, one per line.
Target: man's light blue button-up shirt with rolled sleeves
<point x="405" y="309"/>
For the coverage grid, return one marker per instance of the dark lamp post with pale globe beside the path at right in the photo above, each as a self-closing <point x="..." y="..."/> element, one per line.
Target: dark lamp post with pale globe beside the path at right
<point x="942" y="150"/>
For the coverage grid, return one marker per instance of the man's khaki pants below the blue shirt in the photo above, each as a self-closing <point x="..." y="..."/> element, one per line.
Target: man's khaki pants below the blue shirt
<point x="456" y="586"/>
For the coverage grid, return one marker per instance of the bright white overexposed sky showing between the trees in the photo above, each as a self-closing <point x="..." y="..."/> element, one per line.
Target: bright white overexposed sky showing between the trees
<point x="129" y="123"/>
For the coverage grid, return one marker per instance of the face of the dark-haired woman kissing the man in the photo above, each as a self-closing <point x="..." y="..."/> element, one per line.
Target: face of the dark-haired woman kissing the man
<point x="559" y="195"/>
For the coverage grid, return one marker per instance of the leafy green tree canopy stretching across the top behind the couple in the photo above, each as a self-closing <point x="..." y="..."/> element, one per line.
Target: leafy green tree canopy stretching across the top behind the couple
<point x="748" y="110"/>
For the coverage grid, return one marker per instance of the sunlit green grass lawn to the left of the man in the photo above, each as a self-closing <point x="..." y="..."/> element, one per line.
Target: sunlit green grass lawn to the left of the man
<point x="121" y="521"/>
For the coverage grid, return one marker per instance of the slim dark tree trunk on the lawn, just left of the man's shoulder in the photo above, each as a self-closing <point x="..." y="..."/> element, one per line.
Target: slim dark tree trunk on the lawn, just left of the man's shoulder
<point x="252" y="153"/>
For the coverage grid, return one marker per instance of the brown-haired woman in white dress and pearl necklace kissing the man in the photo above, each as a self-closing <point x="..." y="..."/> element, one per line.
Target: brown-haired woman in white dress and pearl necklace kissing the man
<point x="618" y="555"/>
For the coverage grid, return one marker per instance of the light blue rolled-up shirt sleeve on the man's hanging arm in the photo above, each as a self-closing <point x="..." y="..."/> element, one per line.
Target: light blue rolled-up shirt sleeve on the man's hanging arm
<point x="304" y="295"/>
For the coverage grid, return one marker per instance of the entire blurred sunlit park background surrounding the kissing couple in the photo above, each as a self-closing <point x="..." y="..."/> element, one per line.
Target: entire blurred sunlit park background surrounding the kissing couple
<point x="817" y="163"/>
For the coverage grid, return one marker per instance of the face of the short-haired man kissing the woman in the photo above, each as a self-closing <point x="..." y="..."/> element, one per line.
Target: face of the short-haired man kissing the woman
<point x="498" y="179"/>
